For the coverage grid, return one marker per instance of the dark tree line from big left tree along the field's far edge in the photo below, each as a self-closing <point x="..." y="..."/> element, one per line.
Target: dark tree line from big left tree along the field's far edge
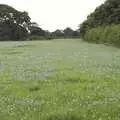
<point x="17" y="25"/>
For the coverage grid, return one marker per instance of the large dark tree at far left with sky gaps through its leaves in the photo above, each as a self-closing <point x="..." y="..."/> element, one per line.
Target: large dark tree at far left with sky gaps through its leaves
<point x="14" y="24"/>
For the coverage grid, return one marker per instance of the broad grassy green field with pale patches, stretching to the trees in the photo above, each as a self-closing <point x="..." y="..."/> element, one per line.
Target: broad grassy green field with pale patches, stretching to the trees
<point x="59" y="80"/>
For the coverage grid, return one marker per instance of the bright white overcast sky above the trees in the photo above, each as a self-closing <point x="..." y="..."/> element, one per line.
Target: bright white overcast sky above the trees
<point x="56" y="14"/>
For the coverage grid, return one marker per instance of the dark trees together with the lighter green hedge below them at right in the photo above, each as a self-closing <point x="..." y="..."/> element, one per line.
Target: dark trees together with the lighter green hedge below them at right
<point x="103" y="25"/>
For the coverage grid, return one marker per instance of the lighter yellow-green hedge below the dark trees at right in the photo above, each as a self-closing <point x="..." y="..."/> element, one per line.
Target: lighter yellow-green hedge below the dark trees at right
<point x="108" y="34"/>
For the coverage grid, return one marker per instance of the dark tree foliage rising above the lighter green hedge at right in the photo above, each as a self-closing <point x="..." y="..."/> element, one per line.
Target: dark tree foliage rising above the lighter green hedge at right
<point x="104" y="15"/>
